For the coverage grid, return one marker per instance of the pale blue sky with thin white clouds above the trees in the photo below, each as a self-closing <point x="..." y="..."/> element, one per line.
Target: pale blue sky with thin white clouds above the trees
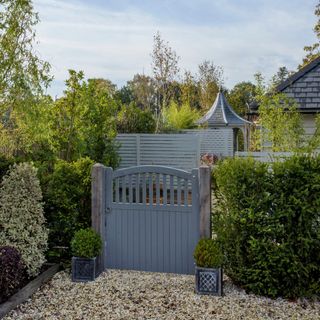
<point x="113" y="39"/>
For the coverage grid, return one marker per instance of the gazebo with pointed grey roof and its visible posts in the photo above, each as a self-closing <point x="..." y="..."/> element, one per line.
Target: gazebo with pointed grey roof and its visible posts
<point x="221" y="115"/>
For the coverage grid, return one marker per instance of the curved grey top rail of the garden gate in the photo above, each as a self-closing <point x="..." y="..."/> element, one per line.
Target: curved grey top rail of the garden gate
<point x="153" y="169"/>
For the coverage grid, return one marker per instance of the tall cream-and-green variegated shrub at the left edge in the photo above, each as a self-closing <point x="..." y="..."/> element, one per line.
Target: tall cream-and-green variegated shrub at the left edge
<point x="21" y="216"/>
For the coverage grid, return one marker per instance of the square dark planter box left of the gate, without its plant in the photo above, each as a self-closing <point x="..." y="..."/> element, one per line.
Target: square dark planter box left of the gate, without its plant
<point x="84" y="269"/>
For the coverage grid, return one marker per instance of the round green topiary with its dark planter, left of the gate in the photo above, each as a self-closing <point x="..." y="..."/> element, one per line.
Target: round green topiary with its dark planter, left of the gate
<point x="85" y="246"/>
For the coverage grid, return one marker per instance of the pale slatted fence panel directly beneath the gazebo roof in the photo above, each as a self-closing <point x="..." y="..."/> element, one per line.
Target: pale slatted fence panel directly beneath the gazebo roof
<point x="217" y="141"/>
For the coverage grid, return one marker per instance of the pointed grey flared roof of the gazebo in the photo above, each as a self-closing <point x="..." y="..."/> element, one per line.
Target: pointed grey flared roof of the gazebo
<point x="221" y="114"/>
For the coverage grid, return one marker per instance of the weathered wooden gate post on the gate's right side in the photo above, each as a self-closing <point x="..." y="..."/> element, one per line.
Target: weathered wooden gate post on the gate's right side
<point x="205" y="201"/>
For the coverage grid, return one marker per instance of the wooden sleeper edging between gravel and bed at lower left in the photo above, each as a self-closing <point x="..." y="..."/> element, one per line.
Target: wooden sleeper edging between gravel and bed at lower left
<point x="27" y="291"/>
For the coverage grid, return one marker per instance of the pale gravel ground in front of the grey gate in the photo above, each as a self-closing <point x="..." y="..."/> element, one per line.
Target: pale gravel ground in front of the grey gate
<point x="142" y="295"/>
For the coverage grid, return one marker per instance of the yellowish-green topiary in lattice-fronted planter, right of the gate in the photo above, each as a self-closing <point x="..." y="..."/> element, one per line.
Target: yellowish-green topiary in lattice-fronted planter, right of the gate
<point x="208" y="258"/>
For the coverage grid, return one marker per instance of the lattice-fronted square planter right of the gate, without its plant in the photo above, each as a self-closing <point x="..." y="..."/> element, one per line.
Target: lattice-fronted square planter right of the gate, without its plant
<point x="209" y="281"/>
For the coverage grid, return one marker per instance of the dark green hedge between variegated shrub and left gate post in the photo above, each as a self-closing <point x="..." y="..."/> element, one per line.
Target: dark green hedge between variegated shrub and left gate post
<point x="67" y="196"/>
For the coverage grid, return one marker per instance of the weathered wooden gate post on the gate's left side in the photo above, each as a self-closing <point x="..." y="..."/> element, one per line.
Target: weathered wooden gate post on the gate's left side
<point x="98" y="200"/>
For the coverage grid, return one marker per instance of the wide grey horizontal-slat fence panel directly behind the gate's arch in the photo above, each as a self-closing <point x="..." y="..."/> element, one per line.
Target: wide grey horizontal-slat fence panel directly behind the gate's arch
<point x="174" y="150"/>
